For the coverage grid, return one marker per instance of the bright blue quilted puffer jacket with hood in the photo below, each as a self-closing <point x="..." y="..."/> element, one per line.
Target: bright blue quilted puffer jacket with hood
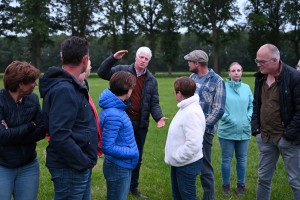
<point x="118" y="142"/>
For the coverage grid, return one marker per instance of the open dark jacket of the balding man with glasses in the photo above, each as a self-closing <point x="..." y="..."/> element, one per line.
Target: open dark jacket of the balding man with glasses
<point x="289" y="100"/>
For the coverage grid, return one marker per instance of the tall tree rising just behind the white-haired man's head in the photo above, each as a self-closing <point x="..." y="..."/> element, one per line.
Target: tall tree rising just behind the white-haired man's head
<point x="147" y="17"/>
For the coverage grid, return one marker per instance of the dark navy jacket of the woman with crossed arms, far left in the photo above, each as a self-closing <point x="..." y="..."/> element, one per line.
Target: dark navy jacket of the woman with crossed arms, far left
<point x="18" y="142"/>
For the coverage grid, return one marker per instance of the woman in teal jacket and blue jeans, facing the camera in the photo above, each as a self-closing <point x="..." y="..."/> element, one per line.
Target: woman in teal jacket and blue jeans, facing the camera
<point x="234" y="130"/>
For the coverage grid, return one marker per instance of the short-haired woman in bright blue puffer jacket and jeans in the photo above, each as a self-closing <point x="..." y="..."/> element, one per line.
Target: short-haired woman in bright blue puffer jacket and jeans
<point x="118" y="142"/>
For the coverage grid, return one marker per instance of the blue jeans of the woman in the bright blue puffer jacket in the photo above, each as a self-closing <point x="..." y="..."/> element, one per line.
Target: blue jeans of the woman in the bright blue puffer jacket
<point x="117" y="180"/>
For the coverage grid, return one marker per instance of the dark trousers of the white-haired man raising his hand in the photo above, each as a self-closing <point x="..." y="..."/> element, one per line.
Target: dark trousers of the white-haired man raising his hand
<point x="140" y="137"/>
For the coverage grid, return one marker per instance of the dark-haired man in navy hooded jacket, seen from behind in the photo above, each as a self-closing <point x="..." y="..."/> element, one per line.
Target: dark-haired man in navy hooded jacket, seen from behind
<point x="71" y="124"/>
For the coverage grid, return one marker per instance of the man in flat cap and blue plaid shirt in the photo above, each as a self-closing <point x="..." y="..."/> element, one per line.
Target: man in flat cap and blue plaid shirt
<point x="212" y="93"/>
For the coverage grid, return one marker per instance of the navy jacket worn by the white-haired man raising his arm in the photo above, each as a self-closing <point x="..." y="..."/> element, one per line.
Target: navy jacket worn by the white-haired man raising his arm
<point x="149" y="99"/>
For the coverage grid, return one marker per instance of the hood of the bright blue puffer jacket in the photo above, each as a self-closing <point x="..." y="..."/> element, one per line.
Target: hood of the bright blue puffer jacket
<point x="109" y="100"/>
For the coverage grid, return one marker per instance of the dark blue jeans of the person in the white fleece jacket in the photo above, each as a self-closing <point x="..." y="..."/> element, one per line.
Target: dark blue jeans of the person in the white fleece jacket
<point x="183" y="181"/>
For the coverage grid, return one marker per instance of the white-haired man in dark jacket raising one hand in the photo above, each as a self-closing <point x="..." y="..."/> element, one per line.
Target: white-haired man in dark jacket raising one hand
<point x="144" y="100"/>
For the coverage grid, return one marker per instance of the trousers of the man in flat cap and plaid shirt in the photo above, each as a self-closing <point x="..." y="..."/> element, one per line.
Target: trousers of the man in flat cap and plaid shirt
<point x="207" y="172"/>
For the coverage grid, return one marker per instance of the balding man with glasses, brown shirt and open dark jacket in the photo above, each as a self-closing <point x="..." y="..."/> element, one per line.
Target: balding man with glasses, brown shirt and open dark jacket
<point x="276" y="119"/>
